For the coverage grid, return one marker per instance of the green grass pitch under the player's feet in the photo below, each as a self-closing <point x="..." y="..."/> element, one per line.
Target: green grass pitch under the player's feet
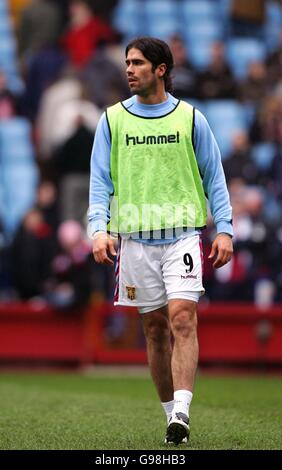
<point x="68" y="411"/>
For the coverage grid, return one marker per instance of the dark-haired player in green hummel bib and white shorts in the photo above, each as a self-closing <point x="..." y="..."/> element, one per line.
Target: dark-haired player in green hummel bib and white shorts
<point x="154" y="162"/>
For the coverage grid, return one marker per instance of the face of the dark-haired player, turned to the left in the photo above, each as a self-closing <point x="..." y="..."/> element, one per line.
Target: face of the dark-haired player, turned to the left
<point x="141" y="79"/>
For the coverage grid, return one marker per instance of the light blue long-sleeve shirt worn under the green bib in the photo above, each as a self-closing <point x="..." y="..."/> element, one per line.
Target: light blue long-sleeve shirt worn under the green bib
<point x="207" y="155"/>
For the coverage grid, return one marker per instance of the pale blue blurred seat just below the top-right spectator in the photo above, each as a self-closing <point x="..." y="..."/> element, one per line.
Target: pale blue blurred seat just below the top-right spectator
<point x="241" y="52"/>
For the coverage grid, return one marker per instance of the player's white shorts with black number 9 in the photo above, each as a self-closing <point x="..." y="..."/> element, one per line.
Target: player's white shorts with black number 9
<point x="147" y="276"/>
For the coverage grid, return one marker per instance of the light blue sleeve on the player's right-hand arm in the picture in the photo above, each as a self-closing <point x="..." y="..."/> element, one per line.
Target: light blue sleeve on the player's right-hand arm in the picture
<point x="210" y="166"/>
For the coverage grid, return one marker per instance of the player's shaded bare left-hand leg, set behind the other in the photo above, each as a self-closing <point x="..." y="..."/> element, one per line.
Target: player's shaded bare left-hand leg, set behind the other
<point x="157" y="332"/>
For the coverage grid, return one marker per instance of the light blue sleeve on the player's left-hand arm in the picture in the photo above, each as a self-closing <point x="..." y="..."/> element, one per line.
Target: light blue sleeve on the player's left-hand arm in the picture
<point x="101" y="186"/>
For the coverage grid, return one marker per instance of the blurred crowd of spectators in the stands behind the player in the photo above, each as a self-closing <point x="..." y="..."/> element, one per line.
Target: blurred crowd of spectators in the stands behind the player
<point x="69" y="66"/>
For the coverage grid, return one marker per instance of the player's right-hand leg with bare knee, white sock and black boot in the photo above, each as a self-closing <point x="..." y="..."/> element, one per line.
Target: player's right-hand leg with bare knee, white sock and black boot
<point x="183" y="321"/>
